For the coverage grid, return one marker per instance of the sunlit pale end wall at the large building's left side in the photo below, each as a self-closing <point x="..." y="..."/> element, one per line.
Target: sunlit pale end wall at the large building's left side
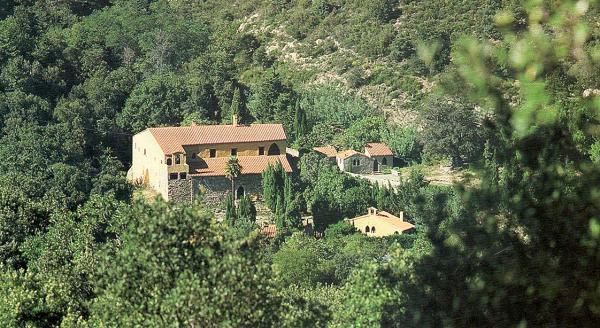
<point x="149" y="167"/>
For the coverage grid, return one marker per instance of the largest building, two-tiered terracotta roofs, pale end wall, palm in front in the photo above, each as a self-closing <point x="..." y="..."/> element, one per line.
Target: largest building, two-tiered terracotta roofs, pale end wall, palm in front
<point x="181" y="162"/>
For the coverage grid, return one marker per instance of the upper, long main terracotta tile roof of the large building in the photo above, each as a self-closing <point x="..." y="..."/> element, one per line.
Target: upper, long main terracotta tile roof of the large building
<point x="172" y="139"/>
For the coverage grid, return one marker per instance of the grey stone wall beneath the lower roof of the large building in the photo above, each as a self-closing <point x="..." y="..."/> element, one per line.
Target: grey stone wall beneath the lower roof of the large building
<point x="215" y="189"/>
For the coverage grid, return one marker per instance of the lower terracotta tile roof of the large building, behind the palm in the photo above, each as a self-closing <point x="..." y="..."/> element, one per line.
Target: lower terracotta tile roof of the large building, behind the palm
<point x="249" y="164"/>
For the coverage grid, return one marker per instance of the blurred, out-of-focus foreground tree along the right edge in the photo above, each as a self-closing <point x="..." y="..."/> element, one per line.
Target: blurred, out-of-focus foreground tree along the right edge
<point x="524" y="248"/>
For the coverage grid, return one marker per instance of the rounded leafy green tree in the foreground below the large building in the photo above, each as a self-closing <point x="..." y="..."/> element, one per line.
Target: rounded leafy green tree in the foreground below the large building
<point x="176" y="266"/>
